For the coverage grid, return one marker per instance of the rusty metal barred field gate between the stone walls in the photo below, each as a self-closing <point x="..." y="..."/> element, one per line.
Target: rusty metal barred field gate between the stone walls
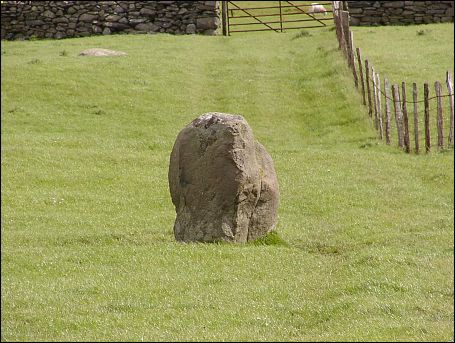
<point x="278" y="16"/>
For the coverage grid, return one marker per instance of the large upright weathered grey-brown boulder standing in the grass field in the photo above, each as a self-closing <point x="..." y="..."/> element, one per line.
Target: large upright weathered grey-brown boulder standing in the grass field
<point x="222" y="181"/>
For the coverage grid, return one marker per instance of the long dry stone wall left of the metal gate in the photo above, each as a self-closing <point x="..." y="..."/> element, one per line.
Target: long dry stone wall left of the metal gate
<point x="62" y="19"/>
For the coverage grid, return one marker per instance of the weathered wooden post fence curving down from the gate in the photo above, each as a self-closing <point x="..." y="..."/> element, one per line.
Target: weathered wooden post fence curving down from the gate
<point x="368" y="82"/>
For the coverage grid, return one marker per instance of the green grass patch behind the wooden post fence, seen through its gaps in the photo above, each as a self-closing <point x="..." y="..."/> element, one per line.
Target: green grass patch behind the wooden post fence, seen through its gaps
<point x="415" y="53"/>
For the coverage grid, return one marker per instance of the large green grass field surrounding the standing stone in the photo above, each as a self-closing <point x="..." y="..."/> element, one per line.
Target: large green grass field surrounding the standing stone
<point x="364" y="249"/>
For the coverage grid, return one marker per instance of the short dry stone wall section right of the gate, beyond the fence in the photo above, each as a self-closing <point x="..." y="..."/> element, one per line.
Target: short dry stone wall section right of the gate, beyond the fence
<point x="368" y="13"/>
